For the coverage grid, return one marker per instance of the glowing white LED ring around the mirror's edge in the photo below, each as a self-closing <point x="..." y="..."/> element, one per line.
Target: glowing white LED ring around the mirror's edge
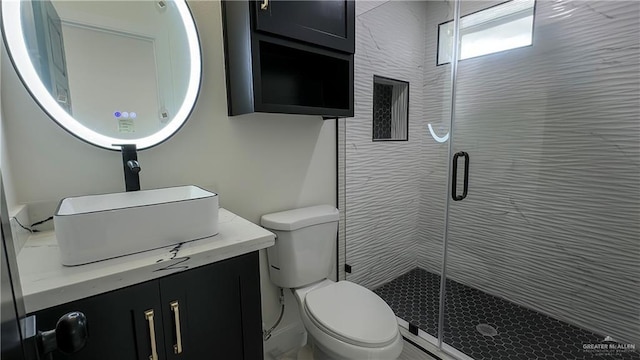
<point x="13" y="36"/>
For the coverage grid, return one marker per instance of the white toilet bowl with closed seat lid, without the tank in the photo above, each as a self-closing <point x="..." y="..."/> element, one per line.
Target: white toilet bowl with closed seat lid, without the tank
<point x="347" y="321"/>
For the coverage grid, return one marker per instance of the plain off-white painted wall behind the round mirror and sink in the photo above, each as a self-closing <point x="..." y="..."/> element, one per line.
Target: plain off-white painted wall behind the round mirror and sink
<point x="257" y="163"/>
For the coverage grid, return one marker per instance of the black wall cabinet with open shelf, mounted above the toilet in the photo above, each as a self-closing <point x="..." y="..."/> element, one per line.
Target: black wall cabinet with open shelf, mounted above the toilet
<point x="292" y="57"/>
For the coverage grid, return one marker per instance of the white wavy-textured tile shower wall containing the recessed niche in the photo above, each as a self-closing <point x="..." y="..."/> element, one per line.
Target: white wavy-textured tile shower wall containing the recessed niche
<point x="382" y="194"/>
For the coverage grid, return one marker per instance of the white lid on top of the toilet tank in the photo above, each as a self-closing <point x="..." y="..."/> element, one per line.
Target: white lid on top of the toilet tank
<point x="298" y="218"/>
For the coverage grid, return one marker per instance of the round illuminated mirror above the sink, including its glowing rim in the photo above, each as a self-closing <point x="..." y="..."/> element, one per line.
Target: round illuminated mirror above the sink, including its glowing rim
<point x="109" y="72"/>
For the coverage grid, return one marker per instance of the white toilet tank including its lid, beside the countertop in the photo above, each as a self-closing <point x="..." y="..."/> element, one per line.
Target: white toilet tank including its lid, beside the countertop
<point x="305" y="244"/>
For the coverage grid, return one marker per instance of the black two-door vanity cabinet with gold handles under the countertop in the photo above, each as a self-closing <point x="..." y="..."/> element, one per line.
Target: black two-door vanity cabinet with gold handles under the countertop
<point x="216" y="307"/>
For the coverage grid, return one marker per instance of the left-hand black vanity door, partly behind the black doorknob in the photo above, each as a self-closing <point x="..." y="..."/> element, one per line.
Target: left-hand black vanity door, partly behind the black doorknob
<point x="116" y="323"/>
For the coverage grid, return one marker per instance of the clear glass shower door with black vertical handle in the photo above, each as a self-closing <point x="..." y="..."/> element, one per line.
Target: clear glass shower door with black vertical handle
<point x="542" y="243"/>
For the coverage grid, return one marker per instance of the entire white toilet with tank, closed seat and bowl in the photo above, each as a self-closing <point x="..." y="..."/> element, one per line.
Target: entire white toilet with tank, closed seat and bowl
<point x="343" y="320"/>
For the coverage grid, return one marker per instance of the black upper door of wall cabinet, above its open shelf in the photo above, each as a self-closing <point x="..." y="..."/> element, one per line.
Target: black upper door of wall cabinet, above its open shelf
<point x="328" y="23"/>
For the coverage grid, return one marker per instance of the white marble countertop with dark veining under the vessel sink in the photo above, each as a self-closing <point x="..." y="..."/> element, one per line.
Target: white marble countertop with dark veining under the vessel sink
<point x="45" y="282"/>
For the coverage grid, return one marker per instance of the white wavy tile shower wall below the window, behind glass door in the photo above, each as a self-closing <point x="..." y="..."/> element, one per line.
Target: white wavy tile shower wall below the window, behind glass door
<point x="552" y="217"/>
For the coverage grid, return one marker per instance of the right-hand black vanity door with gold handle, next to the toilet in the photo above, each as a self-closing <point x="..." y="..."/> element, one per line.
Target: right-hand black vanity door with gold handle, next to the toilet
<point x="219" y="314"/>
